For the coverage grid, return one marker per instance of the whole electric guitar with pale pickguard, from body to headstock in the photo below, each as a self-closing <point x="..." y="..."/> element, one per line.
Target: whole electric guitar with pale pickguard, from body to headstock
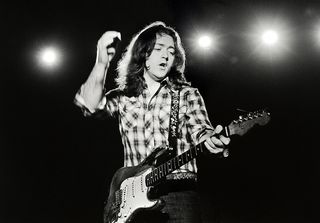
<point x="130" y="186"/>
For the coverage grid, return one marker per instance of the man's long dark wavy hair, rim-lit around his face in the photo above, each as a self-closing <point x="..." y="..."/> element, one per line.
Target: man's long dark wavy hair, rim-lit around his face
<point x="131" y="65"/>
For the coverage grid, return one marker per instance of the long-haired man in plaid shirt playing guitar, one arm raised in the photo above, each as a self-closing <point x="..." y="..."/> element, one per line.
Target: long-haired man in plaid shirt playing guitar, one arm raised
<point x="150" y="71"/>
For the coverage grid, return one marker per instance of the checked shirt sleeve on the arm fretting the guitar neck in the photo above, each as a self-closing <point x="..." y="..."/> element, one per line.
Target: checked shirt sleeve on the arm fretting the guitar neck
<point x="198" y="123"/>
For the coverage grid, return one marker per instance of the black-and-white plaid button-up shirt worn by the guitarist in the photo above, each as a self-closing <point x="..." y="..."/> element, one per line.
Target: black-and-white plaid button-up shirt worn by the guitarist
<point x="145" y="125"/>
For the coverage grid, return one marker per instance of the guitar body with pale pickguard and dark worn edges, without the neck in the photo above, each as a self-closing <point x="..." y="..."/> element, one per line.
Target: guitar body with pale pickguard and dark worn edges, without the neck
<point x="129" y="193"/>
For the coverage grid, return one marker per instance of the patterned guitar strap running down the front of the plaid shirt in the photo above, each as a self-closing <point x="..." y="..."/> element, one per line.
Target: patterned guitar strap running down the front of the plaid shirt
<point x="174" y="120"/>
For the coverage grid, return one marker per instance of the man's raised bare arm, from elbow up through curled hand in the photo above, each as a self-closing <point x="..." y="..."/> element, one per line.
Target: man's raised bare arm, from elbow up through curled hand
<point x="91" y="92"/>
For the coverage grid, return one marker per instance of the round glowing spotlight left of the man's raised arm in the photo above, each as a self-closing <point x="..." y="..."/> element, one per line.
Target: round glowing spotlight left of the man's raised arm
<point x="49" y="57"/>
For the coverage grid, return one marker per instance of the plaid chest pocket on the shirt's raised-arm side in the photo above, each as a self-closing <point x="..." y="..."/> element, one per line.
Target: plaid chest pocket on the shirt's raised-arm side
<point x="129" y="113"/>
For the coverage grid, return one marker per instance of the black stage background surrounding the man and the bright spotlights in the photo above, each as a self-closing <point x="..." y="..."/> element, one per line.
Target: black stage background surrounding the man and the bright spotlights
<point x="55" y="165"/>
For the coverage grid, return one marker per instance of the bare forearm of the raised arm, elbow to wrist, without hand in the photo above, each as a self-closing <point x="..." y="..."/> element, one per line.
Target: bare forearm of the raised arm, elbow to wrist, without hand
<point x="92" y="90"/>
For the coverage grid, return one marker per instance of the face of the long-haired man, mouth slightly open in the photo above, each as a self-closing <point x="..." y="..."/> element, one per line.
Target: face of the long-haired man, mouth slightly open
<point x="161" y="57"/>
